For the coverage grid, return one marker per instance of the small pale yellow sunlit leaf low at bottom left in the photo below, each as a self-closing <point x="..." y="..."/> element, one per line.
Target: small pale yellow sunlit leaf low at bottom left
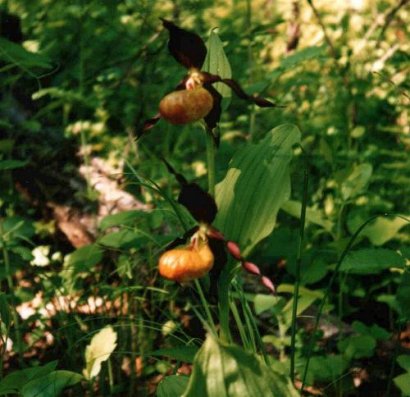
<point x="99" y="350"/>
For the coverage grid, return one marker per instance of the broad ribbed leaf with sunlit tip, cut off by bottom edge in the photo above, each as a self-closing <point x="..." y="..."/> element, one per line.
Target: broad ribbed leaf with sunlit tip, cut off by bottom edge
<point x="229" y="371"/>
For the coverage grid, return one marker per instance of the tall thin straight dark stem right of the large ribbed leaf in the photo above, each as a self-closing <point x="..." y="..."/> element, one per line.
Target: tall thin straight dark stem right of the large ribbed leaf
<point x="297" y="283"/>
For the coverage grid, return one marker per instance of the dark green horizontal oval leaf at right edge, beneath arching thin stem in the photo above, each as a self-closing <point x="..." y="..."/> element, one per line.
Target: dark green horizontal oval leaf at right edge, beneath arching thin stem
<point x="372" y="260"/>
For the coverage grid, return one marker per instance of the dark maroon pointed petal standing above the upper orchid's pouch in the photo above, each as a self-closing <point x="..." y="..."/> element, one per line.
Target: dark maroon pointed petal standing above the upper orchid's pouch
<point x="186" y="47"/>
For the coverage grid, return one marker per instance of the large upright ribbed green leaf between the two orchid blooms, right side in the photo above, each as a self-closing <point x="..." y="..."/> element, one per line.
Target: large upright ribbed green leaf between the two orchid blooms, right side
<point x="255" y="187"/>
